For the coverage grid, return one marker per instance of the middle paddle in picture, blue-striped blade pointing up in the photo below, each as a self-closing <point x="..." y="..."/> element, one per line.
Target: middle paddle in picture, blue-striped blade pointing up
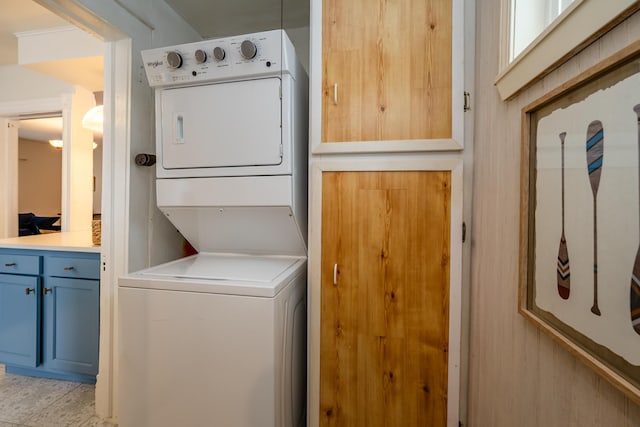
<point x="595" y="151"/>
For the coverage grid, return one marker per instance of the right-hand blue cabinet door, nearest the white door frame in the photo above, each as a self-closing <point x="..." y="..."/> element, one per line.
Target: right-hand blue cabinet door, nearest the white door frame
<point x="71" y="319"/>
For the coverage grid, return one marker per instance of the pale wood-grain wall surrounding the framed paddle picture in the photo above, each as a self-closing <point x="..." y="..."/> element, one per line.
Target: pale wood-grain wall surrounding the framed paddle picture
<point x="518" y="376"/>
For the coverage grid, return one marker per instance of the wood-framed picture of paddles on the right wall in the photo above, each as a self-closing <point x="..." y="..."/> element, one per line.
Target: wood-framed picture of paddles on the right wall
<point x="580" y="217"/>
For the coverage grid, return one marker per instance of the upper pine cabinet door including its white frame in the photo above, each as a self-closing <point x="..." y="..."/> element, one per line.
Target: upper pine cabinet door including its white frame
<point x="386" y="71"/>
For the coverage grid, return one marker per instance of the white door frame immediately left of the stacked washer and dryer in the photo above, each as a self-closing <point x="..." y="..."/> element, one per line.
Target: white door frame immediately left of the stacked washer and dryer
<point x="115" y="168"/>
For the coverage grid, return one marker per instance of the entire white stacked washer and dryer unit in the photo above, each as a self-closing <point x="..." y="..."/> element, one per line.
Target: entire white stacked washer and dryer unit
<point x="219" y="338"/>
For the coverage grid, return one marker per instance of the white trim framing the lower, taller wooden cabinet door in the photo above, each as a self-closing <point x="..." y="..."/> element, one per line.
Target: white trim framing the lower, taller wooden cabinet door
<point x="414" y="162"/>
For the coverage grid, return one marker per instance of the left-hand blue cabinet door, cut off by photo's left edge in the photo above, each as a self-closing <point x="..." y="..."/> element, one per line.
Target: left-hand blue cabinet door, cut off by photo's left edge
<point x="19" y="320"/>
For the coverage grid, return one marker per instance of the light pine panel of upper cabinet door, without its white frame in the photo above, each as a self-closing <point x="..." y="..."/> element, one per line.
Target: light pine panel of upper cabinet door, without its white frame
<point x="391" y="61"/>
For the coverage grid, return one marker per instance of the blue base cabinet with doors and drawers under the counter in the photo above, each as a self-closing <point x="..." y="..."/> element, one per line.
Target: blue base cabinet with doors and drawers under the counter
<point x="50" y="313"/>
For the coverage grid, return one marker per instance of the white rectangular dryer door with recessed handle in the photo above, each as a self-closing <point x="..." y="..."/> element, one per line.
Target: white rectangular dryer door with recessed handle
<point x="230" y="124"/>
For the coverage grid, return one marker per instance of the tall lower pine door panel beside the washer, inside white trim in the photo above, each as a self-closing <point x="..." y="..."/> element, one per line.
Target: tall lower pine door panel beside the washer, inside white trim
<point x="384" y="306"/>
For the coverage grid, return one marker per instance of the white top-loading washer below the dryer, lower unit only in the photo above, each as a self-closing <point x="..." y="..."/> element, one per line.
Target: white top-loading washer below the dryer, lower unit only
<point x="221" y="345"/>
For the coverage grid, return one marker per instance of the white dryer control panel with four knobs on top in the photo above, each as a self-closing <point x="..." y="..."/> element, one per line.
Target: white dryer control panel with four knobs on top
<point x="261" y="54"/>
